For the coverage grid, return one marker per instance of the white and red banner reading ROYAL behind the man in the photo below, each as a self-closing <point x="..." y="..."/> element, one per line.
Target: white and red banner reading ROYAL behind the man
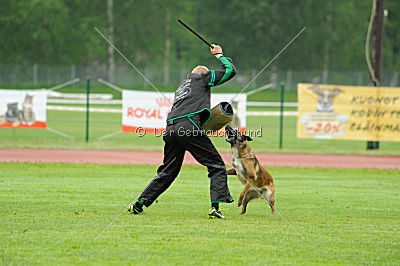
<point x="146" y="112"/>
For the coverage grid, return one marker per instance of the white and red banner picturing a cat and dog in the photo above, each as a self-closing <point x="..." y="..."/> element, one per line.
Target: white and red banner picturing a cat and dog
<point x="23" y="108"/>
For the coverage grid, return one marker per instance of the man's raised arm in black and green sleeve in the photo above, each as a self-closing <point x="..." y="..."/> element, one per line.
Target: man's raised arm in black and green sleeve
<point x="228" y="70"/>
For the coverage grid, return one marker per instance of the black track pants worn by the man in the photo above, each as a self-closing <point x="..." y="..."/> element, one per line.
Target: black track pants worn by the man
<point x="179" y="138"/>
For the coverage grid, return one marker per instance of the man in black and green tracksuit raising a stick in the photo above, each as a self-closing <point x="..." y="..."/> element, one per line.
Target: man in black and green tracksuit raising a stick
<point x="191" y="109"/>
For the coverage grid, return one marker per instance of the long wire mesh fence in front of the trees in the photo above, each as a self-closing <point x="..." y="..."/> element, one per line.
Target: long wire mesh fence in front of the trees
<point x="45" y="75"/>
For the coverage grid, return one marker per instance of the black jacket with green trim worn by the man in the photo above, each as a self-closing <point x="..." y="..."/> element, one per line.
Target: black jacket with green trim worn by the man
<point x="193" y="95"/>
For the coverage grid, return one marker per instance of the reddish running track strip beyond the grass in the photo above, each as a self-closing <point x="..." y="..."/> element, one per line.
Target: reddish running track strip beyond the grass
<point x="155" y="157"/>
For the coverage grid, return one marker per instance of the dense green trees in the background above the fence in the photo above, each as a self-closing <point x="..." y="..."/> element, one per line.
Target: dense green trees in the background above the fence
<point x="61" y="32"/>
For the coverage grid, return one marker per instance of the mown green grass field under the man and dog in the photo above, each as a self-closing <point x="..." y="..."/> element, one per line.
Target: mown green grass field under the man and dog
<point x="52" y="212"/>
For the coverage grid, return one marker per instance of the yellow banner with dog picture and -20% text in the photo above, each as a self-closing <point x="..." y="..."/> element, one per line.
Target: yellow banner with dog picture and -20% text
<point x="348" y="112"/>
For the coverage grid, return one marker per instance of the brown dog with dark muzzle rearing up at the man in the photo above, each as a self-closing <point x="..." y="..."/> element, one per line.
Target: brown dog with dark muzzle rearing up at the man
<point x="258" y="182"/>
